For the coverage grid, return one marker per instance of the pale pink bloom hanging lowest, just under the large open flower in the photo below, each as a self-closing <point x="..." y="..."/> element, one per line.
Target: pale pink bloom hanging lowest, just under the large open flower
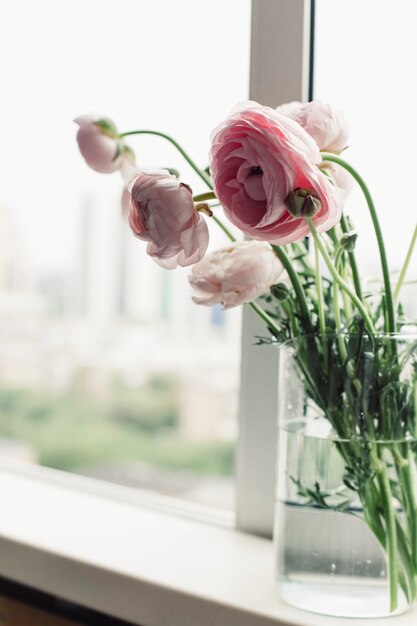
<point x="238" y="273"/>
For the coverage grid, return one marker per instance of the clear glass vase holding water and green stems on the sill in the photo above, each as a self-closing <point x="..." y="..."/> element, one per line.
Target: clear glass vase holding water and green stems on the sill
<point x="346" y="510"/>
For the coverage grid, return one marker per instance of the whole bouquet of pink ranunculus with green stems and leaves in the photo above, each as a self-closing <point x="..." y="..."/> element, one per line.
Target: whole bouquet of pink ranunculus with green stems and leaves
<point x="281" y="180"/>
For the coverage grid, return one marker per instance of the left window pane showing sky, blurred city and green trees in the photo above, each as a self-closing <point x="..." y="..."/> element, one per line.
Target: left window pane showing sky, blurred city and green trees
<point x="107" y="368"/>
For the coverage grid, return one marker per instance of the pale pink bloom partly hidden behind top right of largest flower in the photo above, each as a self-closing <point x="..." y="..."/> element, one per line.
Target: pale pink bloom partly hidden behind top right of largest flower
<point x="324" y="122"/>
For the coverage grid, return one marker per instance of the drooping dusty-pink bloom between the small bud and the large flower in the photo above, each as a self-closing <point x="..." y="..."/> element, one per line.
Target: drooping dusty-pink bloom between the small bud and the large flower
<point x="162" y="212"/>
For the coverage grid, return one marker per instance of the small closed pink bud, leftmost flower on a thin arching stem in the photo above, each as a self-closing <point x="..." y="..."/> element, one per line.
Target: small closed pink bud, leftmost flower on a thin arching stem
<point x="99" y="144"/>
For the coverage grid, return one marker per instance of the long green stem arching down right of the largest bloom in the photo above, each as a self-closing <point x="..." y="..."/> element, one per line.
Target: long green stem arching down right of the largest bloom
<point x="374" y="216"/>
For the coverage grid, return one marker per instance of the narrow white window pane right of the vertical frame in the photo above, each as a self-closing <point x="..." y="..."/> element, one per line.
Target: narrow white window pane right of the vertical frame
<point x="365" y="63"/>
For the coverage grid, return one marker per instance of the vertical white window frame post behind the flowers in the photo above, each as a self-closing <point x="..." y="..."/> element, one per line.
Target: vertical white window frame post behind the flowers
<point x="281" y="71"/>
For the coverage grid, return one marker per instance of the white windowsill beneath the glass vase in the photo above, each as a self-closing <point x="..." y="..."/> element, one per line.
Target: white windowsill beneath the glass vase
<point x="137" y="564"/>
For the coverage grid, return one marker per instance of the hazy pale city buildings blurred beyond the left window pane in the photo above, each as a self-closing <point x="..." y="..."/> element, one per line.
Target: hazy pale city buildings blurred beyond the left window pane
<point x="116" y="313"/>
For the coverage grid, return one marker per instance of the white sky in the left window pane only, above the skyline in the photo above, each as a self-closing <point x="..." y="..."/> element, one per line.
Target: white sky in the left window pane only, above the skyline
<point x="173" y="66"/>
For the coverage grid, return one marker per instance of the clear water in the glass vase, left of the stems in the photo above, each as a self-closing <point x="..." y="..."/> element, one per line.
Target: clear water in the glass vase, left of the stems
<point x="327" y="561"/>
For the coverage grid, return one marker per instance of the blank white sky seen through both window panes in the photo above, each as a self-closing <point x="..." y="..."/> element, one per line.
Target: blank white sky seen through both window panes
<point x="179" y="67"/>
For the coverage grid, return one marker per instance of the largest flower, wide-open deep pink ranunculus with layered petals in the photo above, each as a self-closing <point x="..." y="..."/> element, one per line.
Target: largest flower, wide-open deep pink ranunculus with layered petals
<point x="258" y="157"/>
